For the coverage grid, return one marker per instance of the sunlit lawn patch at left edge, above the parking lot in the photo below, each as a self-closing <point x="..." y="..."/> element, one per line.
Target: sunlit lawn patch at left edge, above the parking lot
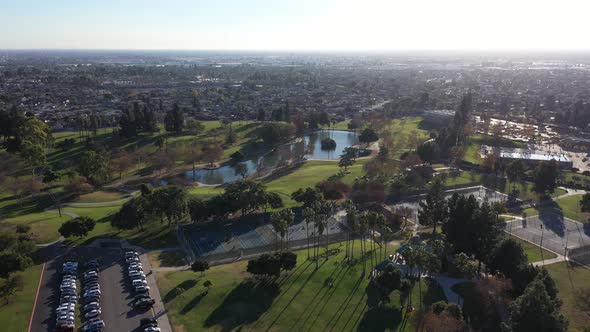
<point x="44" y="225"/>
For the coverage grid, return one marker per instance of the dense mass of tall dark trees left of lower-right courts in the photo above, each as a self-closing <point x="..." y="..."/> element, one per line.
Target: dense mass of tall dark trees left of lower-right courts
<point x="472" y="231"/>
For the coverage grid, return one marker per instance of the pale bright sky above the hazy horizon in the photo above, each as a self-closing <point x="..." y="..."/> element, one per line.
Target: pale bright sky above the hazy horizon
<point x="291" y="25"/>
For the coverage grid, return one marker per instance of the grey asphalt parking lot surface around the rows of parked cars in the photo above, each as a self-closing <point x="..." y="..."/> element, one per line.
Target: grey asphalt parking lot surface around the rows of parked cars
<point x="116" y="296"/>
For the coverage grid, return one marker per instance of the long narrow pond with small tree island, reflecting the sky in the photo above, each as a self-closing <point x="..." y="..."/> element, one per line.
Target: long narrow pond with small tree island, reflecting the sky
<point x="309" y="147"/>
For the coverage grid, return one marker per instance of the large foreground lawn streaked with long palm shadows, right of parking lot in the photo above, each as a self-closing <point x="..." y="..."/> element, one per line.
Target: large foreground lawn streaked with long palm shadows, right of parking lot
<point x="300" y="300"/>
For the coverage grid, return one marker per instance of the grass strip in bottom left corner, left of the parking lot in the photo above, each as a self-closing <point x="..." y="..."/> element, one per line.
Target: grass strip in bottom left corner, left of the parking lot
<point x="16" y="314"/>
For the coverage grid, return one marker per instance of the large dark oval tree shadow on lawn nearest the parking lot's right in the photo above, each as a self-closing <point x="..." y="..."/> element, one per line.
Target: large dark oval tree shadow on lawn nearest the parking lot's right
<point x="245" y="304"/>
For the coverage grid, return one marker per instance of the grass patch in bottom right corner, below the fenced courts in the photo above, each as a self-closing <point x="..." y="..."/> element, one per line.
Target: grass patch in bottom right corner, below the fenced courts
<point x="569" y="279"/>
